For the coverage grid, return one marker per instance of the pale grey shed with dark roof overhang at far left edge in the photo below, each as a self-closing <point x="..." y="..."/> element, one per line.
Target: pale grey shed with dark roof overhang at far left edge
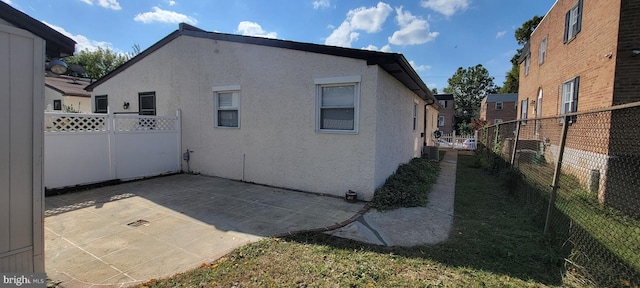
<point x="26" y="45"/>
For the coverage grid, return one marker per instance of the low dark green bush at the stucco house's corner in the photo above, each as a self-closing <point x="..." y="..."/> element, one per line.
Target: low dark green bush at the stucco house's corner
<point x="409" y="186"/>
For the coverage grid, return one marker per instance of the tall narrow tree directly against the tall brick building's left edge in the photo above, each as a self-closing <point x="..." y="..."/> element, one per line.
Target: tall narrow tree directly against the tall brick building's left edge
<point x="522" y="35"/>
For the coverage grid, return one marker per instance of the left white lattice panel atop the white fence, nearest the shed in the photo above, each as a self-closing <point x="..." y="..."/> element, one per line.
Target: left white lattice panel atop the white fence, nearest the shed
<point x="74" y="123"/>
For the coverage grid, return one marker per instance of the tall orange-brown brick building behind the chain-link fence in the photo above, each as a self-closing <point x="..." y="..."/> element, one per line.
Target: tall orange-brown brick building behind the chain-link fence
<point x="582" y="56"/>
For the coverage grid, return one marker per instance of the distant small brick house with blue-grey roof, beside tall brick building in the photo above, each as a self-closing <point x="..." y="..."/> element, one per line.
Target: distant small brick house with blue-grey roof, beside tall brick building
<point x="498" y="108"/>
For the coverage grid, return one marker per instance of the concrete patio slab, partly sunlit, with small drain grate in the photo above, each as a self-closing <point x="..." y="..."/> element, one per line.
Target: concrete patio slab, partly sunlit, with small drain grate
<point x="188" y="219"/>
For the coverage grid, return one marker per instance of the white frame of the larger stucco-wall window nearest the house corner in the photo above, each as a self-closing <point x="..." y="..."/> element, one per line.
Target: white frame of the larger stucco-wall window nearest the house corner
<point x="337" y="82"/>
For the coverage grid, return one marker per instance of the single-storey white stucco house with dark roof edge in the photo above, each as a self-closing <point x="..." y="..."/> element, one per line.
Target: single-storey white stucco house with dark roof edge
<point x="297" y="115"/>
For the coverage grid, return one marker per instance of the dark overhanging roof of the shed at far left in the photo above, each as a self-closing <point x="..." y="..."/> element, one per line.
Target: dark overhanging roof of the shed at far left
<point x="58" y="45"/>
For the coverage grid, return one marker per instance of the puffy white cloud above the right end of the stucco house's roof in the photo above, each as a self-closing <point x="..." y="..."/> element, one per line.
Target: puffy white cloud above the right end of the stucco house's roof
<point x="413" y="30"/>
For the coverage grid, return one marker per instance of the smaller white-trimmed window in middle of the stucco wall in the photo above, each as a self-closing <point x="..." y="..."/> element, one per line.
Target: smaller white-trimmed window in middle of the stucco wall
<point x="227" y="106"/>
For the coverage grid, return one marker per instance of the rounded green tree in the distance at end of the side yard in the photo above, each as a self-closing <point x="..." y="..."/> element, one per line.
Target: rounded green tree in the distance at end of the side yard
<point x="469" y="86"/>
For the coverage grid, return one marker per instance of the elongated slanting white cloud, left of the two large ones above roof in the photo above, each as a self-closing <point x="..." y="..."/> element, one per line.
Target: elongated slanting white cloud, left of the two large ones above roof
<point x="369" y="20"/>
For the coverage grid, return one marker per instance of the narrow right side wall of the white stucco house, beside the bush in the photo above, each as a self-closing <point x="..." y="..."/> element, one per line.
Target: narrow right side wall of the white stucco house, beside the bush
<point x="395" y="126"/>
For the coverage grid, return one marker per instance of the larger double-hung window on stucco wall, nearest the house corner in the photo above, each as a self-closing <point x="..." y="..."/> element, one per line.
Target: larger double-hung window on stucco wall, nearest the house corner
<point x="337" y="101"/>
